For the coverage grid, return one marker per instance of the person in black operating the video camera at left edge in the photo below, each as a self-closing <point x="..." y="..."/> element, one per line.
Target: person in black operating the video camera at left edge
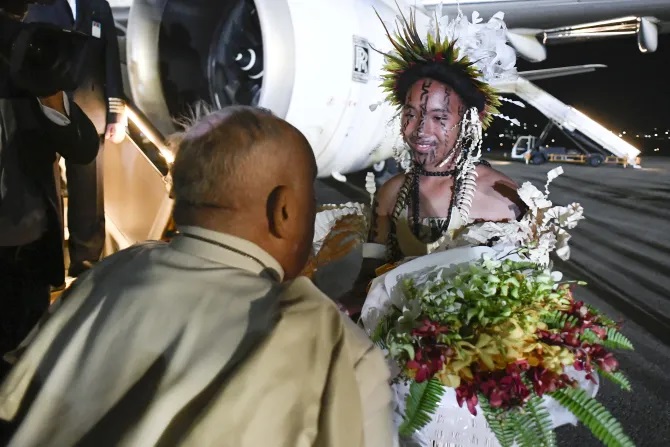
<point x="34" y="132"/>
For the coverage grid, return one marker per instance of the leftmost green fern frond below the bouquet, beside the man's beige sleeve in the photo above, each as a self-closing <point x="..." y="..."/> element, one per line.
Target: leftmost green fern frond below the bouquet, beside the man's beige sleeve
<point x="421" y="405"/>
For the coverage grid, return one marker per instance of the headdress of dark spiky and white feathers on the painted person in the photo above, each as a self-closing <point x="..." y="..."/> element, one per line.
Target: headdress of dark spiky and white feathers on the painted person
<point x="467" y="56"/>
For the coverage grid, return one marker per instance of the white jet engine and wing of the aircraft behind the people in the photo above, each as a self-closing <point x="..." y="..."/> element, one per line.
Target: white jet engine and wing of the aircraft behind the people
<point x="314" y="60"/>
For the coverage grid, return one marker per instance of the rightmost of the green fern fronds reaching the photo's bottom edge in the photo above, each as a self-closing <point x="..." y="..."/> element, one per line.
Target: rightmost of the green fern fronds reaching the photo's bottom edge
<point x="594" y="416"/>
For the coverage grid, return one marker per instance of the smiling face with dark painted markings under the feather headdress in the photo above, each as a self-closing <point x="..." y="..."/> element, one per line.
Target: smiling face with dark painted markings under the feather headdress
<point x="431" y="121"/>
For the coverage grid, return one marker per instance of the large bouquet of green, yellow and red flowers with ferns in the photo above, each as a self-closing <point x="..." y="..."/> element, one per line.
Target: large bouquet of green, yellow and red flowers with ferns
<point x="504" y="333"/>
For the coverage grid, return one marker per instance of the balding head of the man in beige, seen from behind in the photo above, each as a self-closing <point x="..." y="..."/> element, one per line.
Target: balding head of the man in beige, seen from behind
<point x="245" y="172"/>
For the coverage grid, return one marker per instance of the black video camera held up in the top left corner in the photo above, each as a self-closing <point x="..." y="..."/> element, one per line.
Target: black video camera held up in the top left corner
<point x="38" y="59"/>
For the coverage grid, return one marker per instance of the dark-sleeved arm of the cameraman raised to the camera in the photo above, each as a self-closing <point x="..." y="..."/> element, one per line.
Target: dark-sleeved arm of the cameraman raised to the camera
<point x="68" y="129"/>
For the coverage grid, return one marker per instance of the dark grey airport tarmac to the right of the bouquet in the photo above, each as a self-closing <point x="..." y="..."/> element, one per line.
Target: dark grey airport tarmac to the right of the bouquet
<point x="622" y="249"/>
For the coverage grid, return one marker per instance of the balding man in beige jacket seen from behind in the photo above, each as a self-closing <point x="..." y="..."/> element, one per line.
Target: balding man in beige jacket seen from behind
<point x="209" y="340"/>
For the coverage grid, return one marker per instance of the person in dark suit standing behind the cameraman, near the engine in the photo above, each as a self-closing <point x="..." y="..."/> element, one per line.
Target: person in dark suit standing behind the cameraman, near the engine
<point x="100" y="96"/>
